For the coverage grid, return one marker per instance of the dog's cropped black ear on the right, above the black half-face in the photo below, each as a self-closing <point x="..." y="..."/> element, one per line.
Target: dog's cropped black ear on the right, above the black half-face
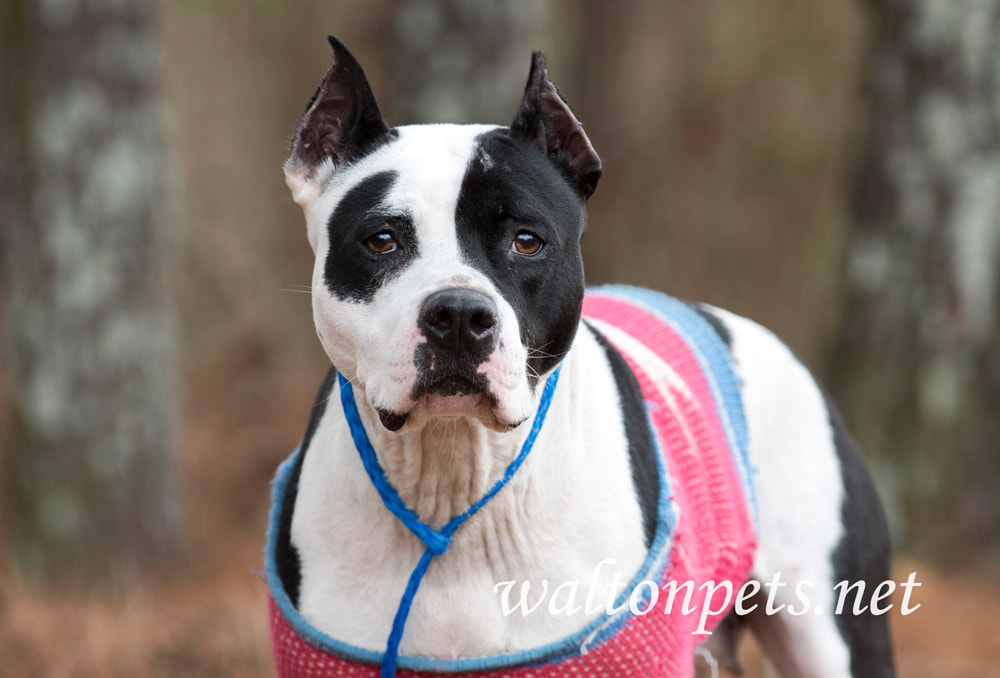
<point x="547" y="120"/>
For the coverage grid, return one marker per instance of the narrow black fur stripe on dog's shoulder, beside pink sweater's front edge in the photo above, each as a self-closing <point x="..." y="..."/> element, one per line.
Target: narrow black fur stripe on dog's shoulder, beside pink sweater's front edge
<point x="641" y="451"/>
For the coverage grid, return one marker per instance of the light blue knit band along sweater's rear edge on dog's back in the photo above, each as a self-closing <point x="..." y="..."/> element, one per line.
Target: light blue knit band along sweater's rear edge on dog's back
<point x="716" y="363"/>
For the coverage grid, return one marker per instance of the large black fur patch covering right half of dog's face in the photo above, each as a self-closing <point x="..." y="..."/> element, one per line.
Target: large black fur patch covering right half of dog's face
<point x="511" y="186"/>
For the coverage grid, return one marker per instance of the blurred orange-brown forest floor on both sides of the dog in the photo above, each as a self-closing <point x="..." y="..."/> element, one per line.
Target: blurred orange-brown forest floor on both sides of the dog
<point x="209" y="618"/>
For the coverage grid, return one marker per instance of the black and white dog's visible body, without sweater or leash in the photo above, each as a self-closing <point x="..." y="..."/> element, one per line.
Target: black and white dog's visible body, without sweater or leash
<point x="448" y="284"/>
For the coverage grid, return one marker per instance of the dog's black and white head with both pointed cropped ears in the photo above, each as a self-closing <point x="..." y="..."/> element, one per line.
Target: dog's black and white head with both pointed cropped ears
<point x="448" y="277"/>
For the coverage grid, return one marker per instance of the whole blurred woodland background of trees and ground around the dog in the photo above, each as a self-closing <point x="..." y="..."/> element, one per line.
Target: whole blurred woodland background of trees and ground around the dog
<point x="830" y="169"/>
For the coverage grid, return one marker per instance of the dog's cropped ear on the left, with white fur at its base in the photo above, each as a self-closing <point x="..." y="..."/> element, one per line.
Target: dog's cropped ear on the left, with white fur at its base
<point x="341" y="121"/>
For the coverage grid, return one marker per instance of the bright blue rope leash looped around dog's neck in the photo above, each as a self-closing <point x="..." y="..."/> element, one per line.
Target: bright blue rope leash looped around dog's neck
<point x="437" y="541"/>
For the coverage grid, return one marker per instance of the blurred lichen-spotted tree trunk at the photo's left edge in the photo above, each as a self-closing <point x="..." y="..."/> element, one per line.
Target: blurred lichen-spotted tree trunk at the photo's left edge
<point x="91" y="489"/>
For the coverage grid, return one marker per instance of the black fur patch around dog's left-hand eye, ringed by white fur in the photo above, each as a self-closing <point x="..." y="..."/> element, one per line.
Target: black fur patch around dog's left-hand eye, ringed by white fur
<point x="352" y="271"/>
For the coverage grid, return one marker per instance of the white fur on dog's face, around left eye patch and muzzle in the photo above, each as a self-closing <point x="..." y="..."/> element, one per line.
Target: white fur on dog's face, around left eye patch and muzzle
<point x="373" y="343"/>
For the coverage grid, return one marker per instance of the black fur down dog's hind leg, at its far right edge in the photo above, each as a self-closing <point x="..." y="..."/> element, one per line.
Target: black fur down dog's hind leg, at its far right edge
<point x="862" y="555"/>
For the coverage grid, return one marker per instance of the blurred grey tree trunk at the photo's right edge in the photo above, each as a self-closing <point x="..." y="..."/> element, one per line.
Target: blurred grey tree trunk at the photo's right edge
<point x="917" y="364"/>
